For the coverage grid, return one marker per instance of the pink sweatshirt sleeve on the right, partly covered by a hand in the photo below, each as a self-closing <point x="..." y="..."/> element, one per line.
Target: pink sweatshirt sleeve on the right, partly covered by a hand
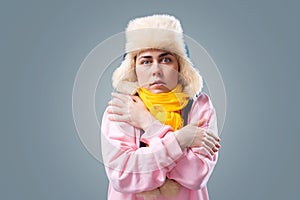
<point x="194" y="168"/>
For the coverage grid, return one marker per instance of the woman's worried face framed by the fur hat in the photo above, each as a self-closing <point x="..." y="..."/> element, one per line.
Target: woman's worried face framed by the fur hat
<point x="157" y="70"/>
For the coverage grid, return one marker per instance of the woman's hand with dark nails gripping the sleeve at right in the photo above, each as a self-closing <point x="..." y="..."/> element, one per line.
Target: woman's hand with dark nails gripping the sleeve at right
<point x="193" y="135"/>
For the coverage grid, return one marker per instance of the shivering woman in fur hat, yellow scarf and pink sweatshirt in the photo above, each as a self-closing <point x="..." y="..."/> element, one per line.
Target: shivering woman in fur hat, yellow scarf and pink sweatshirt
<point x="148" y="152"/>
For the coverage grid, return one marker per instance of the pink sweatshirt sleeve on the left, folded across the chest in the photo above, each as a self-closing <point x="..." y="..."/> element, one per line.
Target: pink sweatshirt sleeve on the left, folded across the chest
<point x="131" y="168"/>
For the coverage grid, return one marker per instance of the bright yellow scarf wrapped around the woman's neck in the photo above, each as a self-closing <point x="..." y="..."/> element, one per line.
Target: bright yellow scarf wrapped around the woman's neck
<point x="166" y="107"/>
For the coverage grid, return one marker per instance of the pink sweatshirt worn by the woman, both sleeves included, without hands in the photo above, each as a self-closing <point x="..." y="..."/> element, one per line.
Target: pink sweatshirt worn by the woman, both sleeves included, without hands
<point x="132" y="169"/>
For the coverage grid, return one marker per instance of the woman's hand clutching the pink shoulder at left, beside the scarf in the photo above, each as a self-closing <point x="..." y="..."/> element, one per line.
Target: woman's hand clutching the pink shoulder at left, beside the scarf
<point x="129" y="109"/>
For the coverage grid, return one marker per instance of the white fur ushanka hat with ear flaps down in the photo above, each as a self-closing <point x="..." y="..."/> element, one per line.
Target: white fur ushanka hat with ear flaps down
<point x="155" y="32"/>
